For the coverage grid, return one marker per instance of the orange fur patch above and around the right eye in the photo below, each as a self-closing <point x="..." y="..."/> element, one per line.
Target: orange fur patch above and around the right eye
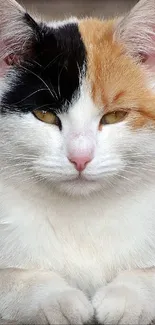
<point x="117" y="81"/>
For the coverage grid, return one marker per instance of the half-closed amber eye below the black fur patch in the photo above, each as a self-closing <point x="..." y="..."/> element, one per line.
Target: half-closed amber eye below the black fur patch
<point x="47" y="117"/>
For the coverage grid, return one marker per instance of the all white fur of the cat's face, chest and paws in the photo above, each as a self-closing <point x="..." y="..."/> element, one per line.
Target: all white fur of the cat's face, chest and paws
<point x="65" y="241"/>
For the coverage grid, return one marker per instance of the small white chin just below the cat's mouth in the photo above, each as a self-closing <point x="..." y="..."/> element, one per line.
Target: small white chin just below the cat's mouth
<point x="79" y="187"/>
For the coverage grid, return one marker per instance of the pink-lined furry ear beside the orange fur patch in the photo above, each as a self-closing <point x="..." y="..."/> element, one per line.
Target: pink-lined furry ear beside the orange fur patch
<point x="137" y="32"/>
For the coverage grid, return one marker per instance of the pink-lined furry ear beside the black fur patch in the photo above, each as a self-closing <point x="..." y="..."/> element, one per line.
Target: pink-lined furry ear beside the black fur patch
<point x="17" y="33"/>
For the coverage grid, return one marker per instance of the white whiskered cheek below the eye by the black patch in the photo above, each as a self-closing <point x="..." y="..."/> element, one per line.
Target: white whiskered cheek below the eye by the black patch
<point x="34" y="148"/>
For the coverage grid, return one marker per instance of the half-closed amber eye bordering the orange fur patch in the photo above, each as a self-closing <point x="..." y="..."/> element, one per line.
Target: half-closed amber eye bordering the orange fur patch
<point x="113" y="117"/>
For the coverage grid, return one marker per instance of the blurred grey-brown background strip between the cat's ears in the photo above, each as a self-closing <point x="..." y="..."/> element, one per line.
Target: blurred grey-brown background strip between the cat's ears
<point x="59" y="9"/>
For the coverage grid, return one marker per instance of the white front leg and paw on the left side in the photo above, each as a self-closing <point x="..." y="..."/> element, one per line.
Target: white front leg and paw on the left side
<point x="42" y="298"/>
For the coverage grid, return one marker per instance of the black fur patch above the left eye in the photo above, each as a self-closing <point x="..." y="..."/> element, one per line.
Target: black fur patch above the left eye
<point x="50" y="78"/>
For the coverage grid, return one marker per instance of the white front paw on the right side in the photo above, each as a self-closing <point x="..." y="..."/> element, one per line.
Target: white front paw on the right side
<point x="125" y="301"/>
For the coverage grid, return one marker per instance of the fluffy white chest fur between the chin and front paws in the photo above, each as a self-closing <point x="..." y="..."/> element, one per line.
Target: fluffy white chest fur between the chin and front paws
<point x="87" y="241"/>
